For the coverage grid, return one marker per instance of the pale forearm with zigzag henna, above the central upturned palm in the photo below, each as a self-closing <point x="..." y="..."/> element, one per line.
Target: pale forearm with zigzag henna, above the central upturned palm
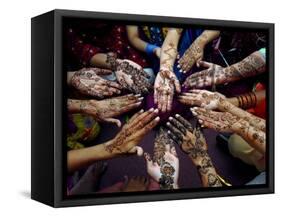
<point x="169" y="49"/>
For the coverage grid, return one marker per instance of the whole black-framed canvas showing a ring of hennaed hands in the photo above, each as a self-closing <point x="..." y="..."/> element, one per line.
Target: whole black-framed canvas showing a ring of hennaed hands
<point x="134" y="108"/>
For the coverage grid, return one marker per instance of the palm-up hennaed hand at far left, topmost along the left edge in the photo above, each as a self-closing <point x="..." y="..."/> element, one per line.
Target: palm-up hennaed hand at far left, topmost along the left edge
<point x="88" y="81"/>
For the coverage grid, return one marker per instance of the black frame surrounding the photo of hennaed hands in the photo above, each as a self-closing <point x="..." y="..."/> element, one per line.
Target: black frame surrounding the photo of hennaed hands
<point x="48" y="100"/>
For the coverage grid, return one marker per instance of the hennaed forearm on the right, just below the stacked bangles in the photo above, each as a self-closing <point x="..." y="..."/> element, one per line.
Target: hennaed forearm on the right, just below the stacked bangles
<point x="253" y="120"/>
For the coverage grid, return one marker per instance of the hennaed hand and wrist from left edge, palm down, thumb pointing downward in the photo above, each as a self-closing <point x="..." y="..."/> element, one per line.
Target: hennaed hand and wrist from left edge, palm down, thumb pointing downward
<point x="105" y="110"/>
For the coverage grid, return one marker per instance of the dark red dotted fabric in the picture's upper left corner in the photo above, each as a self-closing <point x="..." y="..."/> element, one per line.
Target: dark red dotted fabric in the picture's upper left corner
<point x="84" y="41"/>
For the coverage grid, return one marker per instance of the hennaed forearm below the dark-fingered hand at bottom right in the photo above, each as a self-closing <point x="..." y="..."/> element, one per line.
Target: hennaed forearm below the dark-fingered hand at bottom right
<point x="206" y="171"/>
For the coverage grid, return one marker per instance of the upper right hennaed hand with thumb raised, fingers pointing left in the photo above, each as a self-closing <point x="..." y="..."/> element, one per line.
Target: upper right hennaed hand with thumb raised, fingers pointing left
<point x="214" y="74"/>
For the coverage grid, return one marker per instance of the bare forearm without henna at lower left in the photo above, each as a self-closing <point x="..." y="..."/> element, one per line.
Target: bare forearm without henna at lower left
<point x="80" y="158"/>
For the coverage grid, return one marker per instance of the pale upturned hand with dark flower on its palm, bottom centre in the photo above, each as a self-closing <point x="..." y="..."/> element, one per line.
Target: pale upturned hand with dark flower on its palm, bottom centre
<point x="164" y="167"/>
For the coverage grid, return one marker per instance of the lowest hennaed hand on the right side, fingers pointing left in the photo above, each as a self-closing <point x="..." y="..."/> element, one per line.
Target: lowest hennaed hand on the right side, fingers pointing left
<point x="219" y="121"/>
